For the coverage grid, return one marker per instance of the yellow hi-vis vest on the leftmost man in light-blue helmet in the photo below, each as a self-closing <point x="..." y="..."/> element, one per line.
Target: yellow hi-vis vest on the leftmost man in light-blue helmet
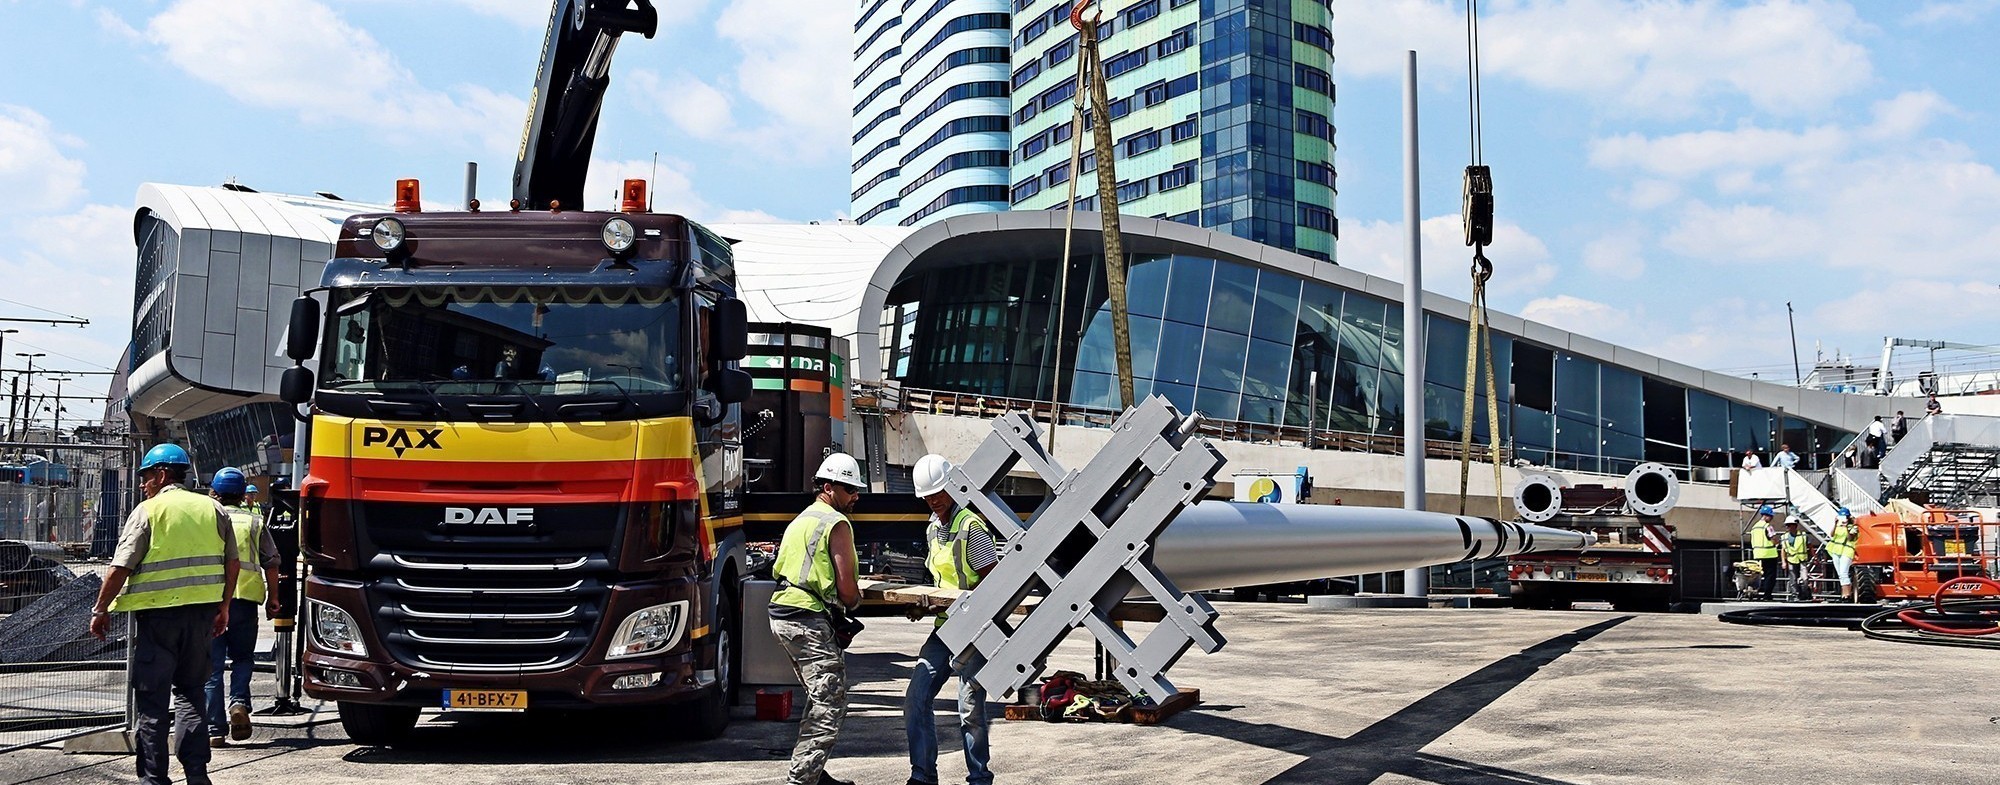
<point x="183" y="562"/>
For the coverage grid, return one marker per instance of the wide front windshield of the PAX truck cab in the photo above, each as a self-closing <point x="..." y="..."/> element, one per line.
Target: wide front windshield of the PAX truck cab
<point x="505" y="339"/>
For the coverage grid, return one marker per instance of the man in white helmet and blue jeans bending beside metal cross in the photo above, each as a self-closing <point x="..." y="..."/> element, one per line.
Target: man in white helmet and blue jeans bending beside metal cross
<point x="961" y="554"/>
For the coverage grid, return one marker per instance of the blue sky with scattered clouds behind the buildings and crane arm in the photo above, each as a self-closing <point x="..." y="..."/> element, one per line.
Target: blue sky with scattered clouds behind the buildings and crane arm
<point x="1669" y="173"/>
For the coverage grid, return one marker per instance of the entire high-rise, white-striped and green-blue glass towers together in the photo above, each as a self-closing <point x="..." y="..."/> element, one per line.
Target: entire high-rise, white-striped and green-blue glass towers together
<point x="1223" y="111"/>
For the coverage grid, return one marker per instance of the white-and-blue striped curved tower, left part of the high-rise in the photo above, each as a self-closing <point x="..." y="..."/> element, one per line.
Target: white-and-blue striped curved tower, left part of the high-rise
<point x="931" y="109"/>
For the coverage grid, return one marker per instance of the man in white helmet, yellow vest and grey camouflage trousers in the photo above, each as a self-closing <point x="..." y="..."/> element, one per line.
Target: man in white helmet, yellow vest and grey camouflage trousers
<point x="817" y="572"/>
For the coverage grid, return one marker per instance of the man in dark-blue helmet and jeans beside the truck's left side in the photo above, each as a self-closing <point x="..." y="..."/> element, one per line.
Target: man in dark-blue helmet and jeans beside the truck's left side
<point x="237" y="648"/>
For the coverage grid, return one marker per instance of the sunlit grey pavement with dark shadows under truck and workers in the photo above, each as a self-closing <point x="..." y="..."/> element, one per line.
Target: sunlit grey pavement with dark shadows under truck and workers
<point x="1299" y="696"/>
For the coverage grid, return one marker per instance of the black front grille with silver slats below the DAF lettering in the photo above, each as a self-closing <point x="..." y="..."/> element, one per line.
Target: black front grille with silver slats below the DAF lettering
<point x="489" y="600"/>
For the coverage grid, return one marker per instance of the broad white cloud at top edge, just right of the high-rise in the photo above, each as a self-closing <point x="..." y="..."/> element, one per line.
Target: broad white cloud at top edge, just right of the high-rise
<point x="1659" y="59"/>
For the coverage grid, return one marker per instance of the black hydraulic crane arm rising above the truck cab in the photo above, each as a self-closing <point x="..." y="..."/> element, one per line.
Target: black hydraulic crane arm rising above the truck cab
<point x="569" y="95"/>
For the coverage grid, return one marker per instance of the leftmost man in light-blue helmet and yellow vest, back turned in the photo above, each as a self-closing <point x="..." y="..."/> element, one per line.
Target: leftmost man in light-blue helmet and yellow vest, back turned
<point x="173" y="570"/>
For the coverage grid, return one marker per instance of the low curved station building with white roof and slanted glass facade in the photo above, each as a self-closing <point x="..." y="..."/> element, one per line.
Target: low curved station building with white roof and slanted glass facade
<point x="1295" y="361"/>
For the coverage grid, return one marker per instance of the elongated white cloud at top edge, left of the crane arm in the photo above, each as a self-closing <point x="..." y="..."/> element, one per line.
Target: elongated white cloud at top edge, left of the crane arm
<point x="303" y="57"/>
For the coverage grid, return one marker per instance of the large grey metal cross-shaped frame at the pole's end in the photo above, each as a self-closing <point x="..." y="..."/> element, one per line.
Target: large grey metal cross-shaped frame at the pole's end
<point x="1089" y="544"/>
